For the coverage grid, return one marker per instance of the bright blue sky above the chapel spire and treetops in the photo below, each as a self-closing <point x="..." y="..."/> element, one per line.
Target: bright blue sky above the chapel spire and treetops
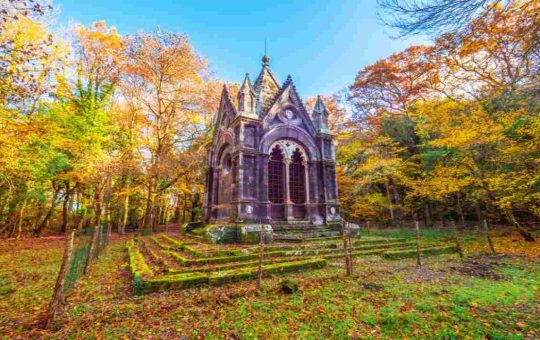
<point x="322" y="44"/>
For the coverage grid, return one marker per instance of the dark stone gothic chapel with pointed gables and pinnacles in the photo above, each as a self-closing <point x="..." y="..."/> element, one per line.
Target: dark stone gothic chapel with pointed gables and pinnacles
<point x="271" y="161"/>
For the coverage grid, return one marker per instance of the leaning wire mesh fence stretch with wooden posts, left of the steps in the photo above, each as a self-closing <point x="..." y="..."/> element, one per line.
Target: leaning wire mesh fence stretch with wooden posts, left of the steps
<point x="82" y="248"/>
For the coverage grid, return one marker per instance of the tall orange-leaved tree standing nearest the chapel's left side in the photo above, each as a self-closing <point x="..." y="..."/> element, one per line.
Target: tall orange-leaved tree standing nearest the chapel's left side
<point x="164" y="81"/>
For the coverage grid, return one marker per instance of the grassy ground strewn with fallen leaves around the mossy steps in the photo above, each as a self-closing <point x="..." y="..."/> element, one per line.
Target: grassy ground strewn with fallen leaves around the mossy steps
<point x="482" y="296"/>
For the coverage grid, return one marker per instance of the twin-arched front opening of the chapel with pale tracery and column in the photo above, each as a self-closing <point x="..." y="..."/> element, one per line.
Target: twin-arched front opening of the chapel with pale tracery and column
<point x="288" y="184"/>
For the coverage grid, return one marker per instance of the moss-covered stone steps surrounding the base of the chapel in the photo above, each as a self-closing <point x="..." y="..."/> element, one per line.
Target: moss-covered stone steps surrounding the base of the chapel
<point x="163" y="261"/>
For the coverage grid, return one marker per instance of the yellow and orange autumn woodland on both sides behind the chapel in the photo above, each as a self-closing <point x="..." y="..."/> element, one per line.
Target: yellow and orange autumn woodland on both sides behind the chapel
<point x="97" y="127"/>
